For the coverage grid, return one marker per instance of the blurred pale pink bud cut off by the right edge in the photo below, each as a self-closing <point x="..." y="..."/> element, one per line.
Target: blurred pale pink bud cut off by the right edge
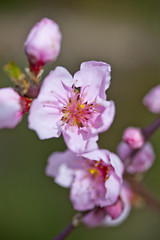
<point x="152" y="100"/>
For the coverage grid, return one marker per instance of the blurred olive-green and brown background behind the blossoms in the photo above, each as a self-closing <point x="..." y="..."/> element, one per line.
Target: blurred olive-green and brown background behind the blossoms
<point x="125" y="34"/>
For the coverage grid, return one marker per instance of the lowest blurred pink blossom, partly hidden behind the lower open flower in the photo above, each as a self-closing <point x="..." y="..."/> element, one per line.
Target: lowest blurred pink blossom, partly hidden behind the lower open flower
<point x="111" y="215"/>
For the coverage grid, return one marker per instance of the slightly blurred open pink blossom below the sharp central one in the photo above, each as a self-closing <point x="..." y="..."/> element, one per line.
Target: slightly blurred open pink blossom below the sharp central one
<point x="95" y="178"/>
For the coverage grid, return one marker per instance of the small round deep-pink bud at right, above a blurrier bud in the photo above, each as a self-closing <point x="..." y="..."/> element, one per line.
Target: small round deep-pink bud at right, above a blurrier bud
<point x="133" y="136"/>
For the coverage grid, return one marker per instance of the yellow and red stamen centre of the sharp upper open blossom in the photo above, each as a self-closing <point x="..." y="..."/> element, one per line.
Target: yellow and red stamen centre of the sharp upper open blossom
<point x="77" y="112"/>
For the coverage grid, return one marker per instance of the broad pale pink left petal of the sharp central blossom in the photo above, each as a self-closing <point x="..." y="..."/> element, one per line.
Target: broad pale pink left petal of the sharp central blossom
<point x="45" y="111"/>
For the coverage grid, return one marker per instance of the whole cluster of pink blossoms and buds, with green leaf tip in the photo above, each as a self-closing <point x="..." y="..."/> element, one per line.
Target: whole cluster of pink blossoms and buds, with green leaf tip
<point x="77" y="107"/>
